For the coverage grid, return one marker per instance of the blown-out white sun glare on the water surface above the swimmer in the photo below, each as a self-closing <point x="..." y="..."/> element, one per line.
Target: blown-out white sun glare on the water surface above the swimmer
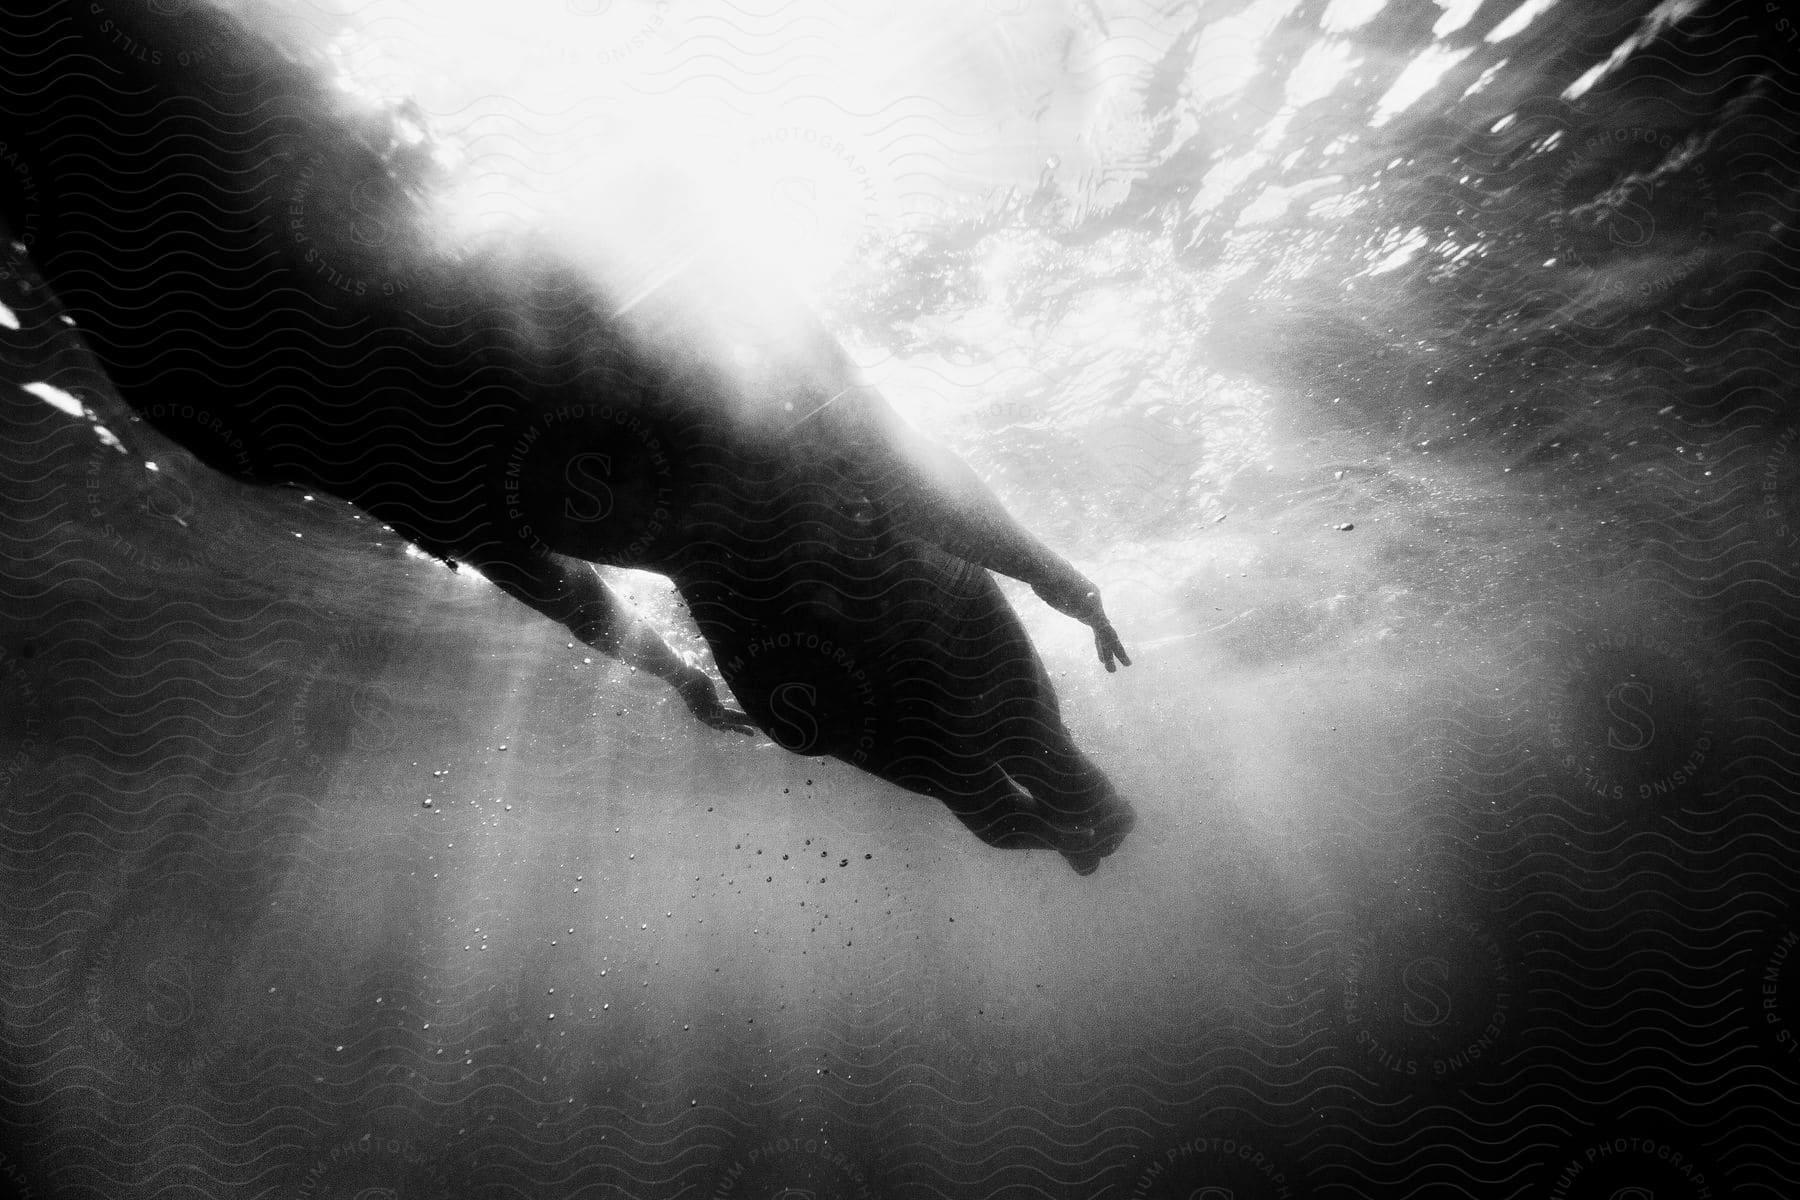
<point x="609" y="130"/>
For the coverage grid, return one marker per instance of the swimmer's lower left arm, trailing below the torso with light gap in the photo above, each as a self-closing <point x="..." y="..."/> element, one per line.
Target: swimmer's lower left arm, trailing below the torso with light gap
<point x="571" y="593"/>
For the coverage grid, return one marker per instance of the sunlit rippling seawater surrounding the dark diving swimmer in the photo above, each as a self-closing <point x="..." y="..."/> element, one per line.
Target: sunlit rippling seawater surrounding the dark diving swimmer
<point x="1444" y="494"/>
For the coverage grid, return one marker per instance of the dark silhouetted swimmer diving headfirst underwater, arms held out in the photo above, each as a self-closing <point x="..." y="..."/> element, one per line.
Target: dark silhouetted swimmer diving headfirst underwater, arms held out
<point x="247" y="255"/>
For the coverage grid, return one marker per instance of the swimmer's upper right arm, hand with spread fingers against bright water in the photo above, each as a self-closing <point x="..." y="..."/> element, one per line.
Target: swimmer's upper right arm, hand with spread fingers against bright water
<point x="939" y="497"/>
